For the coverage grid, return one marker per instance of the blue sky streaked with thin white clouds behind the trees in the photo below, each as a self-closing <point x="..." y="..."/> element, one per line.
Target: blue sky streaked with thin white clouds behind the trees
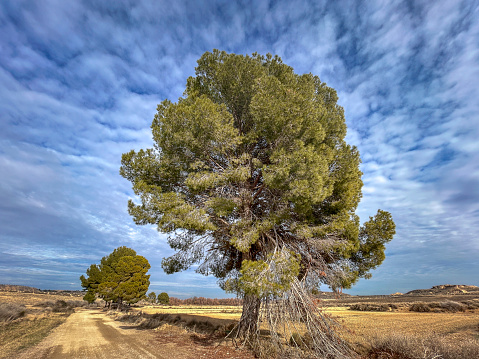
<point x="79" y="85"/>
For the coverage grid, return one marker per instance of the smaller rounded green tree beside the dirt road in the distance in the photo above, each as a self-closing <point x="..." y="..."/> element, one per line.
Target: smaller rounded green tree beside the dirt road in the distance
<point x="120" y="277"/>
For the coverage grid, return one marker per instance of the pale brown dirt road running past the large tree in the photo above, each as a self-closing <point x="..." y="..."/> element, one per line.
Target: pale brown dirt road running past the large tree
<point x="92" y="334"/>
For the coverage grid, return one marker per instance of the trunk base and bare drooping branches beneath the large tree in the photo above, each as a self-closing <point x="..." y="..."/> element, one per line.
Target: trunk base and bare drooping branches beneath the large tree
<point x="291" y="326"/>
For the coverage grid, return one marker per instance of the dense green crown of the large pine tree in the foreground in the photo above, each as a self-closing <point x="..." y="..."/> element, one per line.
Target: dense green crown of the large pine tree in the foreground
<point x="252" y="162"/>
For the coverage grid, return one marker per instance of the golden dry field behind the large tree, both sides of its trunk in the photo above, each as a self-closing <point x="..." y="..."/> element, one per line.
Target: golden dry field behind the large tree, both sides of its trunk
<point x="378" y="327"/>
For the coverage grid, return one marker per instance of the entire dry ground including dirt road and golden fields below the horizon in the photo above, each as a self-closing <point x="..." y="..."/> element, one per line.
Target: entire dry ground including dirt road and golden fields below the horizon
<point x="440" y="322"/>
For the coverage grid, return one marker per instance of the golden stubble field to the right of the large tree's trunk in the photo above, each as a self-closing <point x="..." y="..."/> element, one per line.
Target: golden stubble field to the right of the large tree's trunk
<point x="411" y="335"/>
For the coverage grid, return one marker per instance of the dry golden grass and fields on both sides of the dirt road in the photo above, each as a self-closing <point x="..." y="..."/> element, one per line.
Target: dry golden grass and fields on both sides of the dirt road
<point x="402" y="327"/>
